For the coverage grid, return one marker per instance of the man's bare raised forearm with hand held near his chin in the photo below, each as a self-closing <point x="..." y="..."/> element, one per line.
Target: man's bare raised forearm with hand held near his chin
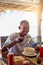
<point x="17" y="40"/>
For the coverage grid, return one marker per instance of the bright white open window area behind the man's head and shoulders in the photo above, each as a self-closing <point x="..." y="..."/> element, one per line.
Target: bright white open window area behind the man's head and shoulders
<point x="10" y="20"/>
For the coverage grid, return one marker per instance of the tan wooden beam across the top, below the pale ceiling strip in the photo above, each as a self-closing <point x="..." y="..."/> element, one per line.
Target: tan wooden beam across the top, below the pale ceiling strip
<point x="9" y="6"/>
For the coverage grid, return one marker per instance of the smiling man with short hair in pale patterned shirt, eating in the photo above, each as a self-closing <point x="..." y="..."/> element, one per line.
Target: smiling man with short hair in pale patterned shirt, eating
<point x="16" y="42"/>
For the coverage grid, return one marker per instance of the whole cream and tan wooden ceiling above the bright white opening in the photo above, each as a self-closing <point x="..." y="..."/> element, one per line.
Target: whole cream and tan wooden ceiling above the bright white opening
<point x="25" y="5"/>
